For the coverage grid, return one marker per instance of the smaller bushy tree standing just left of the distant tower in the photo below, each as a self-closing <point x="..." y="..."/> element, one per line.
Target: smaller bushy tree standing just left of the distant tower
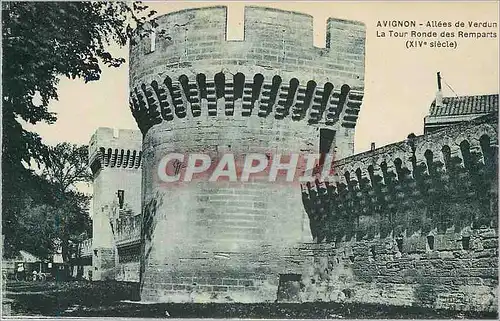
<point x="58" y="210"/>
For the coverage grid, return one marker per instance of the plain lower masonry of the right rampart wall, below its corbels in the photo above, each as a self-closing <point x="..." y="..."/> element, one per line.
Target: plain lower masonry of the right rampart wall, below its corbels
<point x="449" y="276"/>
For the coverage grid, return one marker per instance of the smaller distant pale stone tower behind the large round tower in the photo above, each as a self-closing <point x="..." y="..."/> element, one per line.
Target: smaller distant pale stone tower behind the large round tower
<point x="115" y="162"/>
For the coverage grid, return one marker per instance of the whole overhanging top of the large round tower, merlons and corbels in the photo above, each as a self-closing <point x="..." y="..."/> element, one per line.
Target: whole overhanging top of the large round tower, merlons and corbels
<point x="188" y="59"/>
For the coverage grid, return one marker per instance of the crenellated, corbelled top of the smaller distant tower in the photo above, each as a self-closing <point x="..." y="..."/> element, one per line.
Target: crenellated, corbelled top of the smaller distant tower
<point x="110" y="147"/>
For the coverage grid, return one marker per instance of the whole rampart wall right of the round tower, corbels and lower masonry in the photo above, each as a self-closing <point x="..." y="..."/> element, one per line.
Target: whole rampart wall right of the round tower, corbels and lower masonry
<point x="412" y="223"/>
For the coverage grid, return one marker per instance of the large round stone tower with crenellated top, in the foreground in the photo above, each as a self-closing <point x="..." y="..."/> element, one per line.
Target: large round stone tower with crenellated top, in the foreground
<point x="192" y="91"/>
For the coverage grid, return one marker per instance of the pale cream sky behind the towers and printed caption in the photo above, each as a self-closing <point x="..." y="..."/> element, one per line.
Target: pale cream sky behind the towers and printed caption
<point x="400" y="83"/>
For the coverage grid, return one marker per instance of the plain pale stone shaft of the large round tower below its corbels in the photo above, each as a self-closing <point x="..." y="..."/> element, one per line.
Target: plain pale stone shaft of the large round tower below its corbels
<point x="218" y="231"/>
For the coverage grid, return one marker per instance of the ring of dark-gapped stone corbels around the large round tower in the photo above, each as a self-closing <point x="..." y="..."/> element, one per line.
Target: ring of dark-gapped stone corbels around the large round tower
<point x="241" y="95"/>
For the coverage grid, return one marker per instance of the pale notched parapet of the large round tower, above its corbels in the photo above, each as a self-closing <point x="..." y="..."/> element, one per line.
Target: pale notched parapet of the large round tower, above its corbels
<point x="274" y="40"/>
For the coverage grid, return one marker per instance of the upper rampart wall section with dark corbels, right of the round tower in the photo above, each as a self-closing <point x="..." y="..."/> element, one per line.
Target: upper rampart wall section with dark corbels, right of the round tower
<point x="378" y="193"/>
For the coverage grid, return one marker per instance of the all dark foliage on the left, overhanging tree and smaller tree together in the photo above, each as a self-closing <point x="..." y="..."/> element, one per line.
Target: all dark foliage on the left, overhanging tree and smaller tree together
<point x="41" y="42"/>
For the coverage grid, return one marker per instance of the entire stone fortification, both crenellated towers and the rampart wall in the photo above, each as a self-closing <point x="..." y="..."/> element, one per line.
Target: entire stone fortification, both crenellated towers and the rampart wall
<point x="411" y="223"/>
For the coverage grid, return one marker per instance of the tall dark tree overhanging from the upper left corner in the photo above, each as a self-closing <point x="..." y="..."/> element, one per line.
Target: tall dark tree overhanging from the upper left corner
<point x="42" y="41"/>
